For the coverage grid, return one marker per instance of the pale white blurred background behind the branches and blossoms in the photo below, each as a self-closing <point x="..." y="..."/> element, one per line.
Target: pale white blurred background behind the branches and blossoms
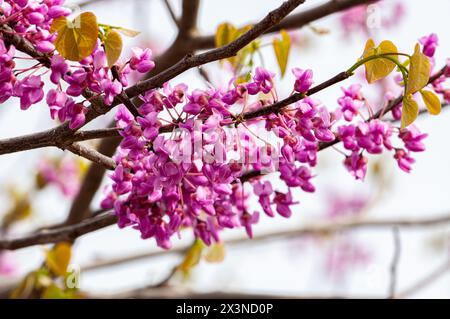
<point x="351" y="263"/>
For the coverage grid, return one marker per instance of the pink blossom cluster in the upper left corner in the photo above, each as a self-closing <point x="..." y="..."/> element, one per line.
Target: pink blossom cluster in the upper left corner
<point x="32" y="19"/>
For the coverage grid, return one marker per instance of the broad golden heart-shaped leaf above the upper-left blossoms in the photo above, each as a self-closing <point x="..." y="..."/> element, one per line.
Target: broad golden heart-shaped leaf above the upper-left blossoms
<point x="76" y="39"/>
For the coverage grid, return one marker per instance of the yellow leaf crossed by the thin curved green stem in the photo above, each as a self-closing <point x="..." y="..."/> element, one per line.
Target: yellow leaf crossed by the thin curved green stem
<point x="379" y="68"/>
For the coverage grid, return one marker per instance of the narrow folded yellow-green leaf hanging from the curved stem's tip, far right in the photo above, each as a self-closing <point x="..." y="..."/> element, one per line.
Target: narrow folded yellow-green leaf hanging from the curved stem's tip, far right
<point x="419" y="71"/>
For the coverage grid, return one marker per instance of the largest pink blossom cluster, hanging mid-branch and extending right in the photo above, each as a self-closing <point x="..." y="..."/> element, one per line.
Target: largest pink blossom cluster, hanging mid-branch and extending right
<point x="160" y="189"/>
